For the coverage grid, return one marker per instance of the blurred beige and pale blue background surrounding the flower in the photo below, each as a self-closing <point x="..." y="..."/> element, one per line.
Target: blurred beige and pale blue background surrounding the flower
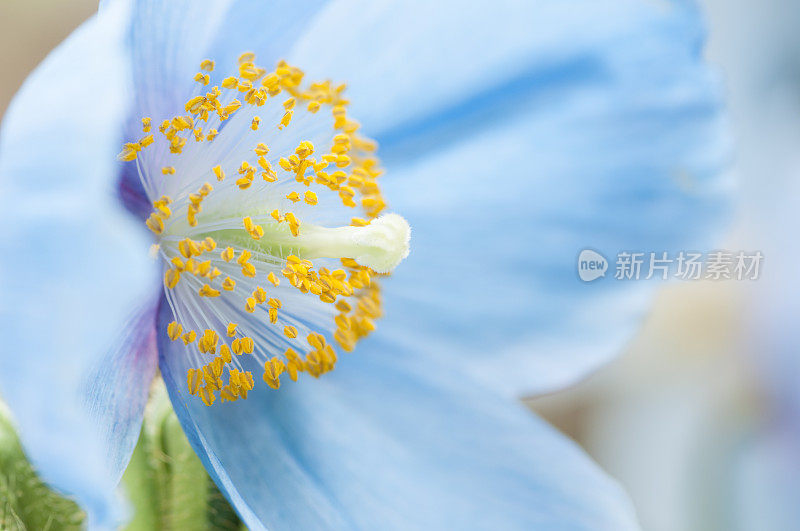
<point x="699" y="418"/>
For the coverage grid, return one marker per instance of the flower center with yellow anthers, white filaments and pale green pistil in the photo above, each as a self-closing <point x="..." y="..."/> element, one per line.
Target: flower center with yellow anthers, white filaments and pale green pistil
<point x="288" y="168"/>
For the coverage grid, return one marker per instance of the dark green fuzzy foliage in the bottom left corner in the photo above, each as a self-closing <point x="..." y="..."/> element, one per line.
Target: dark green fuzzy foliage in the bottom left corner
<point x="26" y="503"/>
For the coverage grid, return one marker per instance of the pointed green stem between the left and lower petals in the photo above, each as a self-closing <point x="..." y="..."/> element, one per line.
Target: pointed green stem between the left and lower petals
<point x="166" y="483"/>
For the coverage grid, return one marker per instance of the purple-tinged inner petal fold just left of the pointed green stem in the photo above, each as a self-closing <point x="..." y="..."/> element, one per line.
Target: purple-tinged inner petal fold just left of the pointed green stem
<point x="116" y="391"/>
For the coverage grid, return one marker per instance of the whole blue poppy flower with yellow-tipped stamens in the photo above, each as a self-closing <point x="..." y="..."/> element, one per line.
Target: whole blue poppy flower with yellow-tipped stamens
<point x="512" y="134"/>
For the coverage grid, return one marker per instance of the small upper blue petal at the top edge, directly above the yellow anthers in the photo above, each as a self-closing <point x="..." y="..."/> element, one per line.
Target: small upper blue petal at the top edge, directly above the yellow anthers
<point x="170" y="39"/>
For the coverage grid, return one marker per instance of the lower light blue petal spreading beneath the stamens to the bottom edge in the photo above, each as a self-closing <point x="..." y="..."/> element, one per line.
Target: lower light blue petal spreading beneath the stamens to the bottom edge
<point x="385" y="443"/>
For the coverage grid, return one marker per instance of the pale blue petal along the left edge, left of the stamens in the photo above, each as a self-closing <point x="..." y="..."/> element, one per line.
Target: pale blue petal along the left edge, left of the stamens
<point x="74" y="266"/>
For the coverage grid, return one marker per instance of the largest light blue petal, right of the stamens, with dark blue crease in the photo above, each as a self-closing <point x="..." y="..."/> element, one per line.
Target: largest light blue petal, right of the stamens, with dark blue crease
<point x="514" y="137"/>
